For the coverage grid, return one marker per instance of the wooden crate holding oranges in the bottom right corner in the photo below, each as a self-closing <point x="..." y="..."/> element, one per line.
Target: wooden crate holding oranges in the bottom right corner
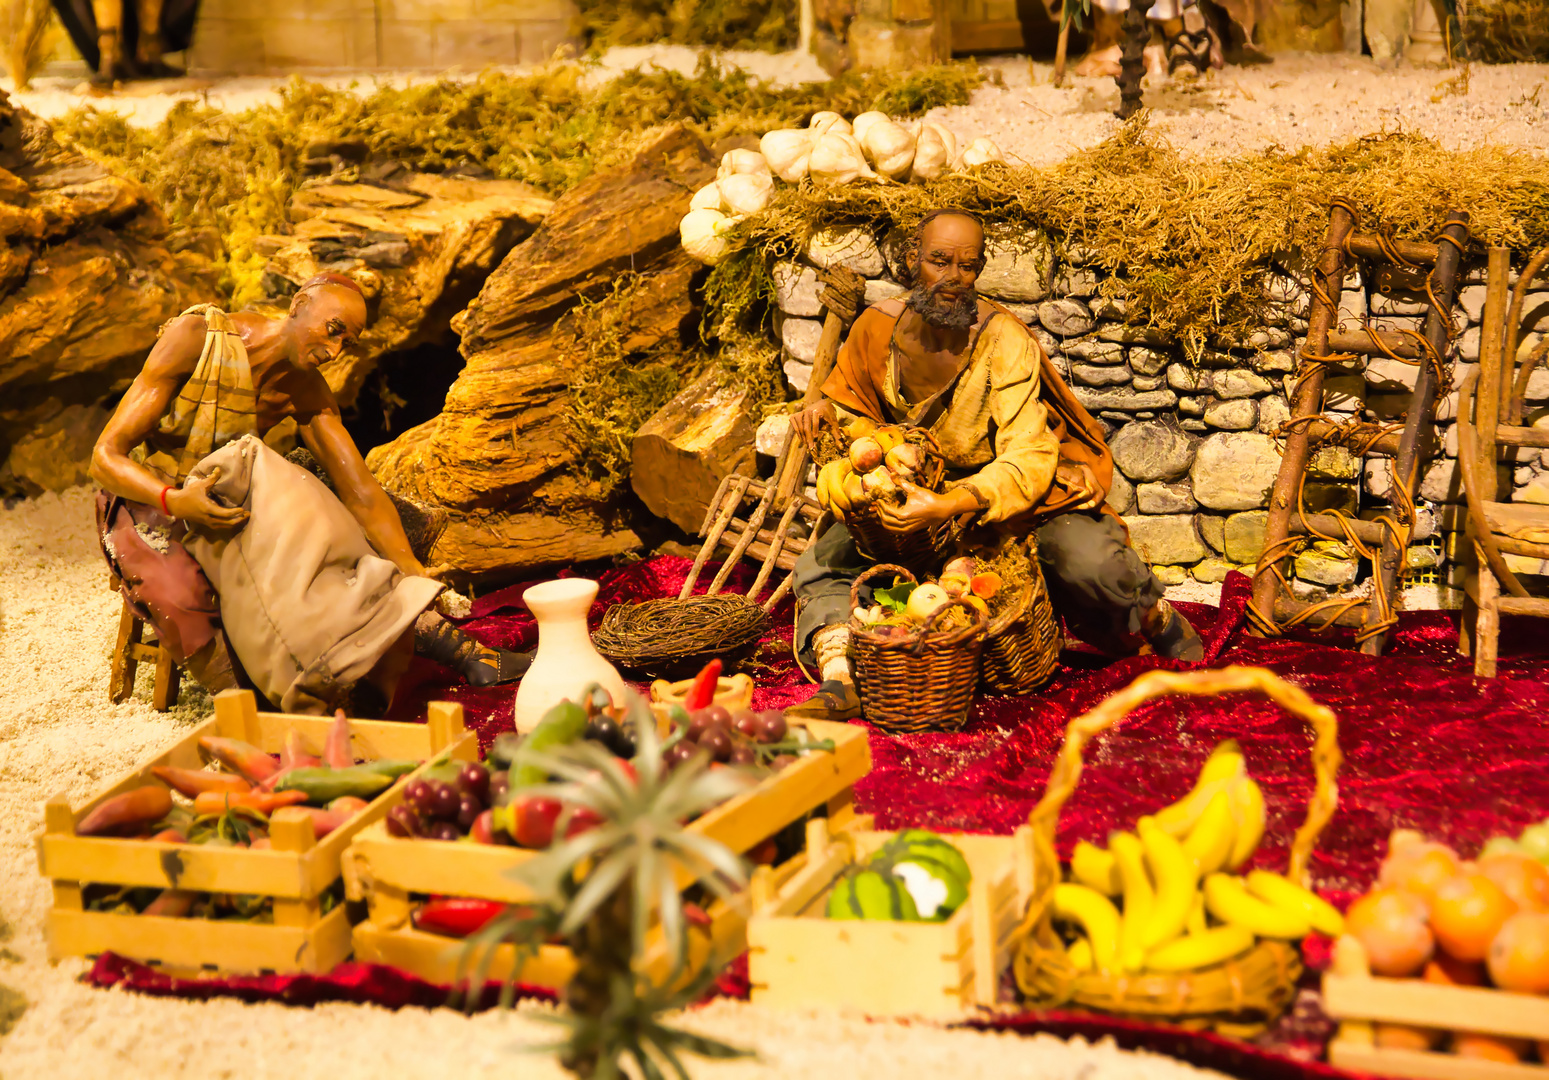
<point x="1358" y="999"/>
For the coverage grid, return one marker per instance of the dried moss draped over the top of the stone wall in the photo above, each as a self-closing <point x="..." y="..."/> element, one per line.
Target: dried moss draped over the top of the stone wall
<point x="1190" y="239"/>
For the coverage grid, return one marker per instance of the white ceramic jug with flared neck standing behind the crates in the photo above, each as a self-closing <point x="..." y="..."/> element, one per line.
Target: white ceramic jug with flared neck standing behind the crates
<point x="566" y="662"/>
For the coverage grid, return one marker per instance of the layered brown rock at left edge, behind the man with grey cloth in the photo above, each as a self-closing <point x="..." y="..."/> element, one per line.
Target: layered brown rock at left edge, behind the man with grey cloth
<point x="89" y="272"/>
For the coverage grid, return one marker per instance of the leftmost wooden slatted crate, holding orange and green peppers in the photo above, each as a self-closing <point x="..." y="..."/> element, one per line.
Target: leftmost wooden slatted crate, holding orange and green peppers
<point x="297" y="872"/>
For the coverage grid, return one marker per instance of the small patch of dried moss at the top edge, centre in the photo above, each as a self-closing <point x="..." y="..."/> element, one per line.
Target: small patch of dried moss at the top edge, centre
<point x="769" y="26"/>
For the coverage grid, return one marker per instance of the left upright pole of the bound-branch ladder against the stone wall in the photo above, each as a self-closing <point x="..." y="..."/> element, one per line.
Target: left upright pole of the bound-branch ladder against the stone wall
<point x="1310" y="404"/>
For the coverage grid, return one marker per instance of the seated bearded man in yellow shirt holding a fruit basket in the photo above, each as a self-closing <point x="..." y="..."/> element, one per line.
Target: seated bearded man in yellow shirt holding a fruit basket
<point x="1023" y="459"/>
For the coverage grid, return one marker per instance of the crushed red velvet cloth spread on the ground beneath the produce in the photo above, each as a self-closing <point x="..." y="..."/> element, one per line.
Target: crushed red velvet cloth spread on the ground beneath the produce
<point x="1426" y="746"/>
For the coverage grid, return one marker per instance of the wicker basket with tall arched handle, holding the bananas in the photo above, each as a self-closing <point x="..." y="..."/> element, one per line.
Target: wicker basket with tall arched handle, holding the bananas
<point x="1237" y="999"/>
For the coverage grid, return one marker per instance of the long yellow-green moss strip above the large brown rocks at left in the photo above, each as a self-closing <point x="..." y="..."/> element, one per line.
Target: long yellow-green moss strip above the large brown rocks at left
<point x="551" y="129"/>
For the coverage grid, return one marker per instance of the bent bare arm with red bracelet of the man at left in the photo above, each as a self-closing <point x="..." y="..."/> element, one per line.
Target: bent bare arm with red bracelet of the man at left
<point x="149" y="399"/>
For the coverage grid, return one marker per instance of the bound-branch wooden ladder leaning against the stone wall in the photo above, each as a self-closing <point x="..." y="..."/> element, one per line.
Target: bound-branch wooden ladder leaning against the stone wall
<point x="1404" y="264"/>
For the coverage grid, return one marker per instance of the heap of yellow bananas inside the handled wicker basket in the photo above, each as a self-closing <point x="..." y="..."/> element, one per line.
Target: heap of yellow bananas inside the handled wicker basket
<point x="1180" y="906"/>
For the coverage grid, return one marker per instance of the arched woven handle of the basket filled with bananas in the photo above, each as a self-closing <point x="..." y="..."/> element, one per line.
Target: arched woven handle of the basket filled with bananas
<point x="1158" y="684"/>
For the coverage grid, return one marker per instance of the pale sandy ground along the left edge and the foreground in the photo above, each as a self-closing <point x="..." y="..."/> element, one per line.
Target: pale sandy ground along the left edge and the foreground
<point x="60" y="734"/>
